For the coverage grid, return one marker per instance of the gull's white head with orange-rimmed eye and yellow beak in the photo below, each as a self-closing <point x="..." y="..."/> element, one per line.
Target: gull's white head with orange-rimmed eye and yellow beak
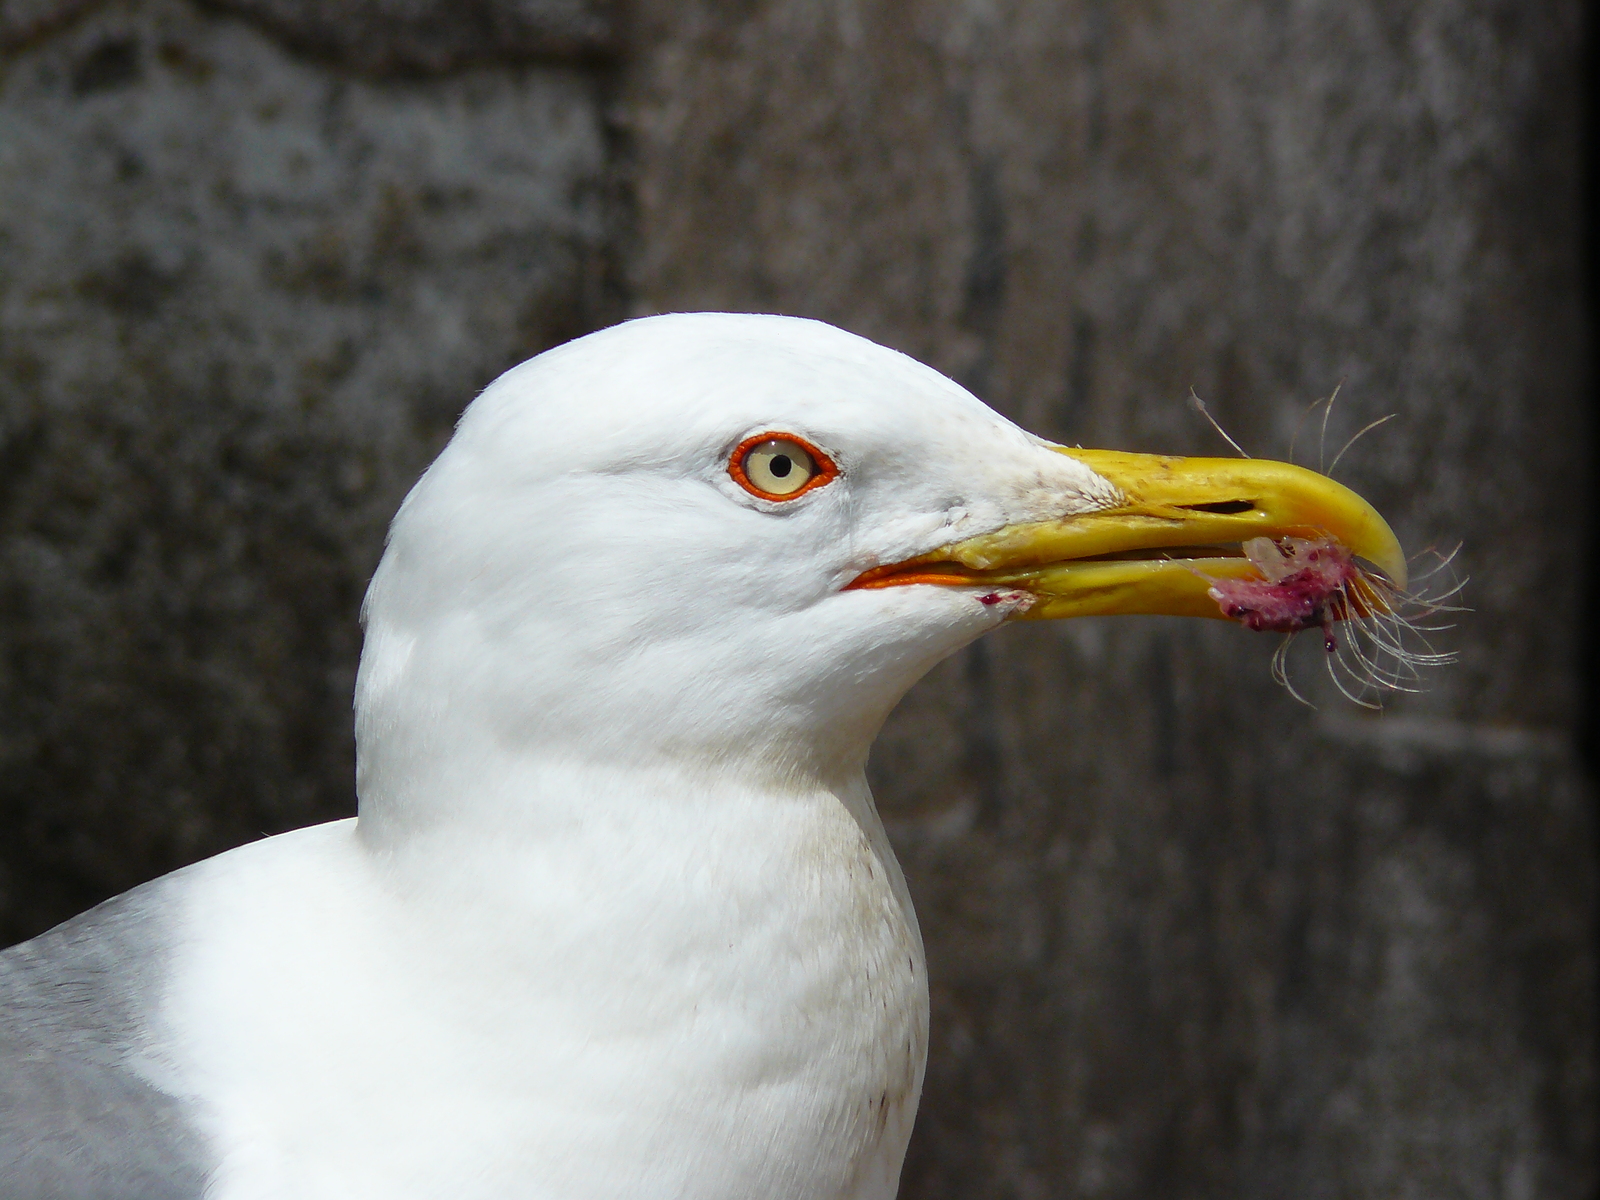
<point x="730" y="543"/>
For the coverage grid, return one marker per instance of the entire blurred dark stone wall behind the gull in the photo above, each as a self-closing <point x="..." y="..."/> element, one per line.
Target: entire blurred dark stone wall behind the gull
<point x="1188" y="937"/>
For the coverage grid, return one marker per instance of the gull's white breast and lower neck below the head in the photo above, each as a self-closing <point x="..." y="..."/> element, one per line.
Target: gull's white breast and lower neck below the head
<point x="694" y="999"/>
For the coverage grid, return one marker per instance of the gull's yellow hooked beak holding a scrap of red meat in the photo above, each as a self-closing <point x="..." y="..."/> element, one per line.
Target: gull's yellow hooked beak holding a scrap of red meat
<point x="1178" y="527"/>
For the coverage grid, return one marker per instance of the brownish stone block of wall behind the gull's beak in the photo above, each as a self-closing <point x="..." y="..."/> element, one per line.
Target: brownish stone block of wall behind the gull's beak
<point x="1186" y="935"/>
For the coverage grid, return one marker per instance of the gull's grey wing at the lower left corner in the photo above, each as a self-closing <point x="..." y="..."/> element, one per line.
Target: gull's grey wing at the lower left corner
<point x="76" y="1124"/>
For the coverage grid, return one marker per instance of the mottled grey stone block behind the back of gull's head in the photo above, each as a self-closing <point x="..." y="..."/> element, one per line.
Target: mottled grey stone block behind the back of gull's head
<point x="242" y="300"/>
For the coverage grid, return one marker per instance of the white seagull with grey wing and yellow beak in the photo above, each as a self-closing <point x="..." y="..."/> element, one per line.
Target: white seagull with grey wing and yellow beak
<point x="617" y="919"/>
